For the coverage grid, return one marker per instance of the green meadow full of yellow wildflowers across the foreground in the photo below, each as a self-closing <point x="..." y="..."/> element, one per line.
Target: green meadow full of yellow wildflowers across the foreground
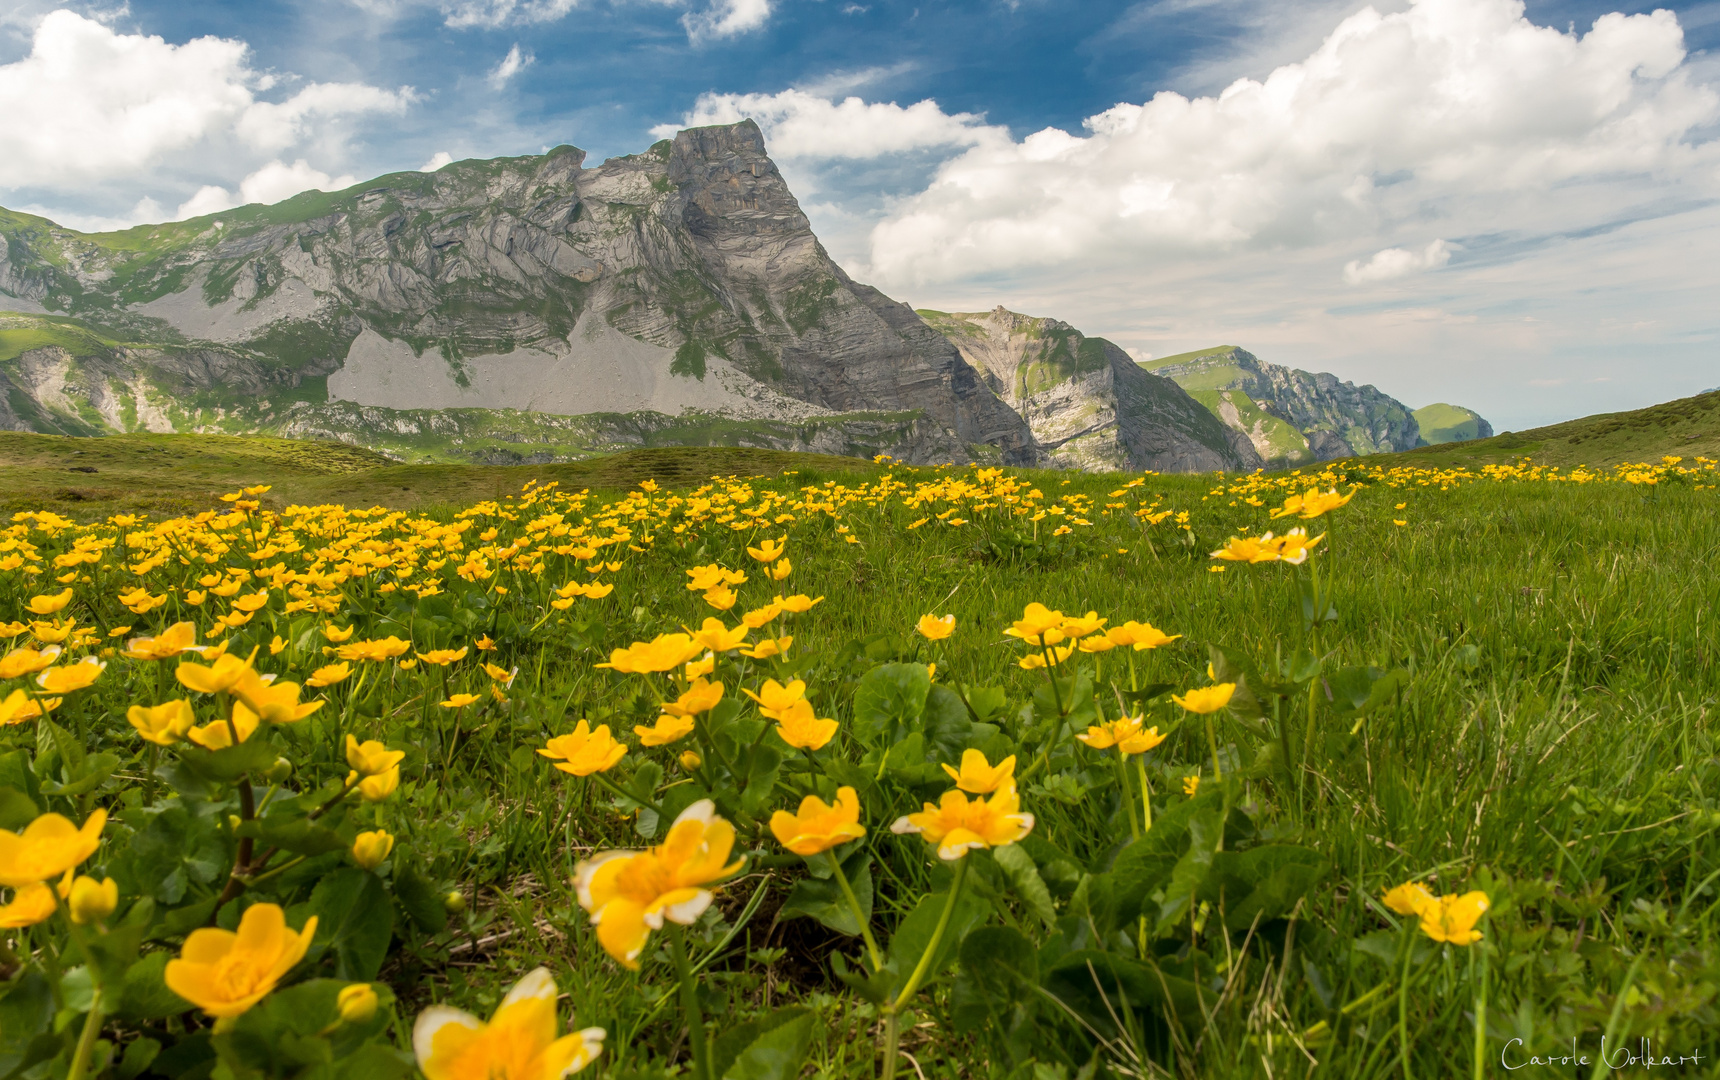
<point x="881" y="773"/>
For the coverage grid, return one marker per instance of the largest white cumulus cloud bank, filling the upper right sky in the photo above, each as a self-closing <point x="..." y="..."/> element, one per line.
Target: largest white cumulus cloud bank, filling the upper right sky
<point x="1453" y="107"/>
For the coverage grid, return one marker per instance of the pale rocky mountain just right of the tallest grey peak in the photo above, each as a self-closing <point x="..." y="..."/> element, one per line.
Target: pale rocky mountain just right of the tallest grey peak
<point x="1086" y="402"/>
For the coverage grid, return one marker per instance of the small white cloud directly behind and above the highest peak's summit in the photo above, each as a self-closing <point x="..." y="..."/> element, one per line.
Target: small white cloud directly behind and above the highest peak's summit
<point x="804" y="126"/>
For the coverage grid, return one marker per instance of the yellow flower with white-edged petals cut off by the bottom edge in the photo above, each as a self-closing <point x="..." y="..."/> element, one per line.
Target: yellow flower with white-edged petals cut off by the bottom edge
<point x="517" y="1045"/>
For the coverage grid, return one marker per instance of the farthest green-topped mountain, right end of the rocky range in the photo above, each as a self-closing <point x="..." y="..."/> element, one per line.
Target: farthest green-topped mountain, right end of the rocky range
<point x="1291" y="417"/>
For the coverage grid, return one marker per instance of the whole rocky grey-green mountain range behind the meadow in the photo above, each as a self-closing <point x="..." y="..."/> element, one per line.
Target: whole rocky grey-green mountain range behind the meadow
<point x="532" y="309"/>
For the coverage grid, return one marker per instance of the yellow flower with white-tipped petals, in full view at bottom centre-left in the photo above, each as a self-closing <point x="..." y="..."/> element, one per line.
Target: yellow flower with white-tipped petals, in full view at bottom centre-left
<point x="632" y="893"/>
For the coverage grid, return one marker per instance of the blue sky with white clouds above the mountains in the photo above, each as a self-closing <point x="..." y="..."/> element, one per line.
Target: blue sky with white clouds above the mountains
<point x="1499" y="206"/>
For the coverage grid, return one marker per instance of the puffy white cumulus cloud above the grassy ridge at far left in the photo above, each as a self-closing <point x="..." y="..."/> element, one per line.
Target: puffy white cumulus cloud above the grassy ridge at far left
<point x="89" y="106"/>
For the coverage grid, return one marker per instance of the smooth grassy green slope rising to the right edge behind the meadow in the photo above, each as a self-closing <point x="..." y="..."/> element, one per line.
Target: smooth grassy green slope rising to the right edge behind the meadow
<point x="1688" y="427"/>
